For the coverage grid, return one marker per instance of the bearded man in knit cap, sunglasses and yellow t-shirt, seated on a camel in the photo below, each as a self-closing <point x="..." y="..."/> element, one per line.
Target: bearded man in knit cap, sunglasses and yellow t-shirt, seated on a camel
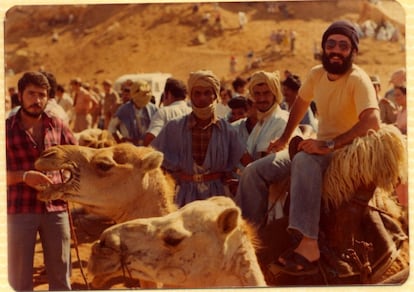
<point x="348" y="109"/>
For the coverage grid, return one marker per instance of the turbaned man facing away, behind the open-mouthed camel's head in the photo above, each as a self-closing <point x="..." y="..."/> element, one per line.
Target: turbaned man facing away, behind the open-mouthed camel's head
<point x="133" y="118"/>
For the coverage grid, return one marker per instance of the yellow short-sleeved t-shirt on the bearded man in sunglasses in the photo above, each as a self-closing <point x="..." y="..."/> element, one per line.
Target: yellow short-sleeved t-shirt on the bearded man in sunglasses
<point x="340" y="102"/>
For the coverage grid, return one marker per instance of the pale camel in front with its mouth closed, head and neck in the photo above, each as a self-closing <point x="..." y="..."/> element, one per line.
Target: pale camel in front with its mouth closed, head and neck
<point x="204" y="244"/>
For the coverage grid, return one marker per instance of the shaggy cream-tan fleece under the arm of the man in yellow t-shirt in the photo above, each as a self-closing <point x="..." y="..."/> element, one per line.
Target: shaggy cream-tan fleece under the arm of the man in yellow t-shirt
<point x="379" y="158"/>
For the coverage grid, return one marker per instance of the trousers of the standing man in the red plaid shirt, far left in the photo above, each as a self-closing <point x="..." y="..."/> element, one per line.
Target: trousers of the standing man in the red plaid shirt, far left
<point x="54" y="233"/>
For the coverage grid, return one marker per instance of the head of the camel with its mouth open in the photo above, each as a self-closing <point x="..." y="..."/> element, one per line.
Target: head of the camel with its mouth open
<point x="122" y="182"/>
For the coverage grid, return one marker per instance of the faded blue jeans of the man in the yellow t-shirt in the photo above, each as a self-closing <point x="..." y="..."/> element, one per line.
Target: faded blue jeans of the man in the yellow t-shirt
<point x="306" y="171"/>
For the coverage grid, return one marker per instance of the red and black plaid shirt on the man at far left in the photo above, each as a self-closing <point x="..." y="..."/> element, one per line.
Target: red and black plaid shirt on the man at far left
<point x="22" y="152"/>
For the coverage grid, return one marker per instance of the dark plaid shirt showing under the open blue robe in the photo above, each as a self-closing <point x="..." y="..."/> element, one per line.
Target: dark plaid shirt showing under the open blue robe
<point x="201" y="137"/>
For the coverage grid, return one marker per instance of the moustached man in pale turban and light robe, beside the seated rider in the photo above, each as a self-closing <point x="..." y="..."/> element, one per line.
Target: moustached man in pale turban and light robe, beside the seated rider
<point x="265" y="91"/>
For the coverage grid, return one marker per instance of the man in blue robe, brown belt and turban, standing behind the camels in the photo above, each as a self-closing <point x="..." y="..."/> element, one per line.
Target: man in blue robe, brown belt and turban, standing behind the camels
<point x="200" y="151"/>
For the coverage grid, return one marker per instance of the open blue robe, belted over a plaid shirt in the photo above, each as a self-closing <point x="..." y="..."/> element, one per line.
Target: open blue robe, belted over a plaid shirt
<point x="223" y="154"/>
